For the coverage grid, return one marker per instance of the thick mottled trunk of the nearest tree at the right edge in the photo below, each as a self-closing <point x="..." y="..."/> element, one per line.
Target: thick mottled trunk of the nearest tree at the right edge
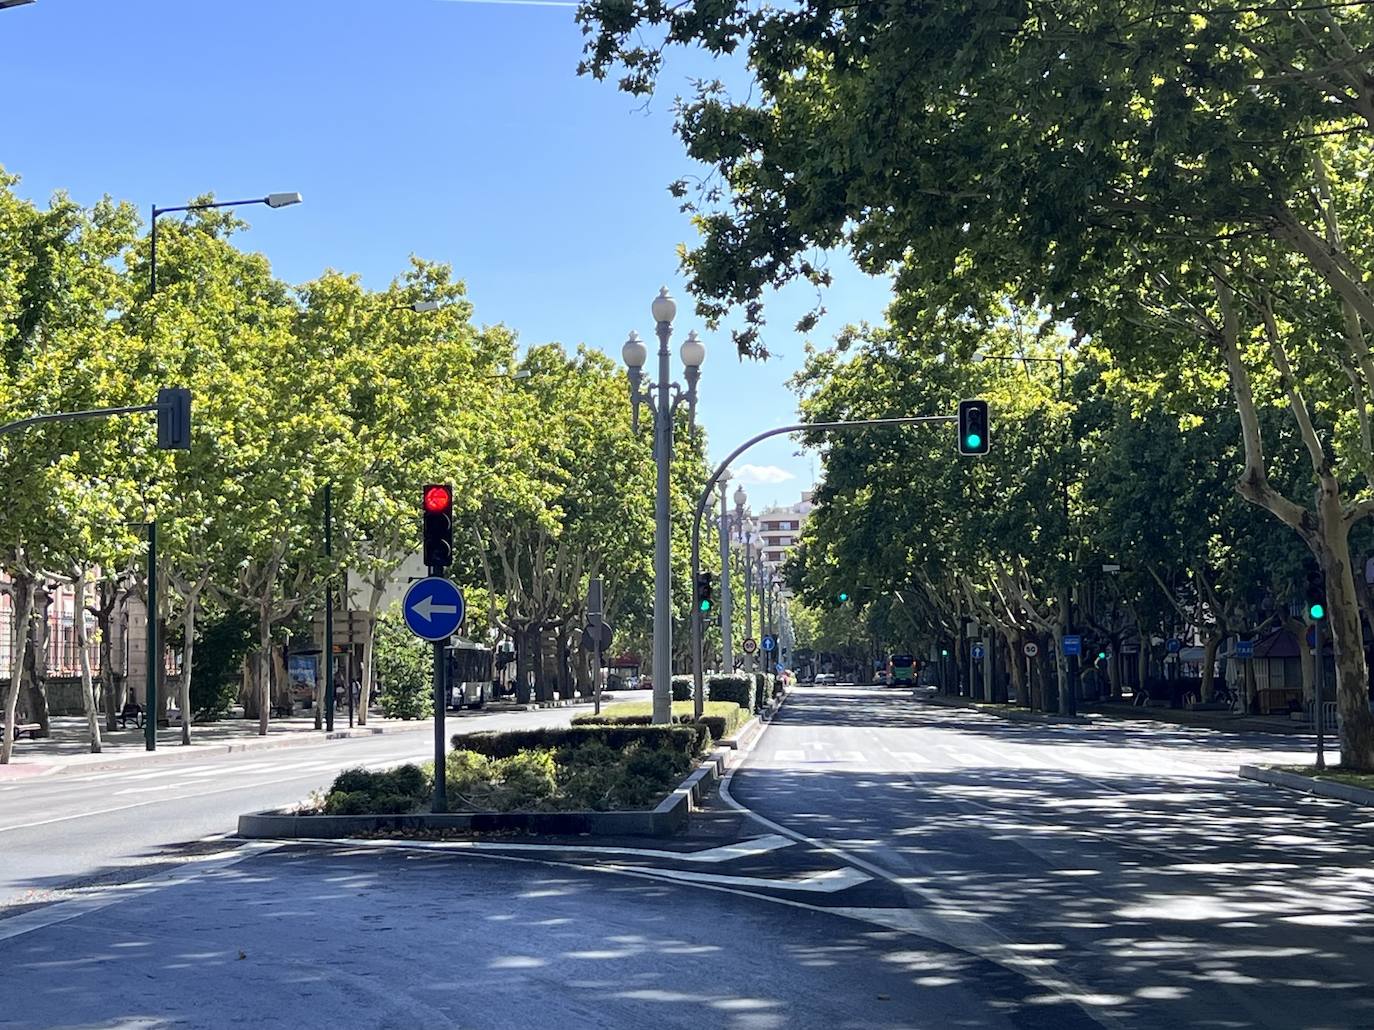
<point x="1353" y="685"/>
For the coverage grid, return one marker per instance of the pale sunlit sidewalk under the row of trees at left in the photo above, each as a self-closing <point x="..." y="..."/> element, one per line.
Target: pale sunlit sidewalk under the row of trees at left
<point x="69" y="748"/>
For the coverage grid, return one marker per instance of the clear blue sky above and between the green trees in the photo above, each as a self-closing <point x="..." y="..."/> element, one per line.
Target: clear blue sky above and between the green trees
<point x="455" y="131"/>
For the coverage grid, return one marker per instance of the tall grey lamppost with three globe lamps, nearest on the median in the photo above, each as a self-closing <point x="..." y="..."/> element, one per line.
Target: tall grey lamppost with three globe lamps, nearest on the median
<point x="663" y="399"/>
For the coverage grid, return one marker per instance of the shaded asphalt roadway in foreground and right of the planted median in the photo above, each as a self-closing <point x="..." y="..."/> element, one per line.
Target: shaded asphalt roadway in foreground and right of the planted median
<point x="899" y="866"/>
